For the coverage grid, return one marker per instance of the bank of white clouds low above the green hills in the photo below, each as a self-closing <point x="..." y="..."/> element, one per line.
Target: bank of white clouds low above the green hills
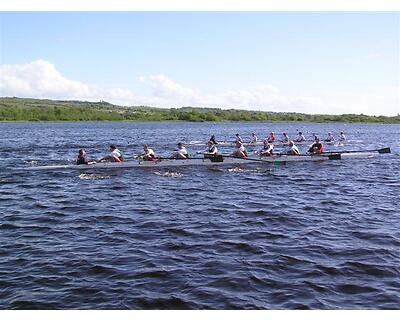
<point x="40" y="79"/>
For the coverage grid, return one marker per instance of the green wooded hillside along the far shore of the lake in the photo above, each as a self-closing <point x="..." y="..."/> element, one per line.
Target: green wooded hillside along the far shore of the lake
<point x="22" y="109"/>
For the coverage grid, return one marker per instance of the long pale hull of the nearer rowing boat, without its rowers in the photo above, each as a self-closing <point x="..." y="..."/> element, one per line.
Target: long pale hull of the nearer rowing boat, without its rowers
<point x="218" y="160"/>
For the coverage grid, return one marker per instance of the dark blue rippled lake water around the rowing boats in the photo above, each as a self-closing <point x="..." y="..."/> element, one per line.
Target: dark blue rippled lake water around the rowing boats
<point x="297" y="236"/>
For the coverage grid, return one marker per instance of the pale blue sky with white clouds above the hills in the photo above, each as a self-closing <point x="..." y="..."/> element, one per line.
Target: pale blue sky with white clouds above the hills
<point x="312" y="62"/>
